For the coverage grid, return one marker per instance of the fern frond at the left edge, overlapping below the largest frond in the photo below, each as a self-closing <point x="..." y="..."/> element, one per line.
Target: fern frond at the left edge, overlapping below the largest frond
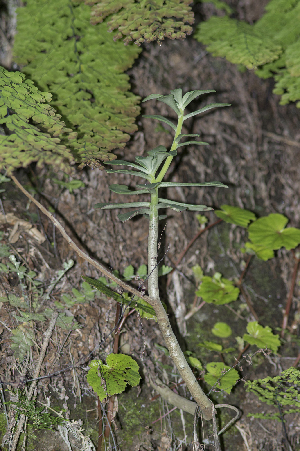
<point x="34" y="130"/>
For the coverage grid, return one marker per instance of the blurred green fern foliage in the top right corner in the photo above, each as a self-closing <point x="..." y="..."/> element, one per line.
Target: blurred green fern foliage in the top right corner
<point x="270" y="46"/>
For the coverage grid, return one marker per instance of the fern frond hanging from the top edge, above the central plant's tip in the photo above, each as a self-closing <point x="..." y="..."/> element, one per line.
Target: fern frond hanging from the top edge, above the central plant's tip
<point x="146" y="20"/>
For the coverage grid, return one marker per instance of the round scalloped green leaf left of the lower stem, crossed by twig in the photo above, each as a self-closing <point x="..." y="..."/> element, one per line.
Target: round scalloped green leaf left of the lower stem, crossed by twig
<point x="119" y="371"/>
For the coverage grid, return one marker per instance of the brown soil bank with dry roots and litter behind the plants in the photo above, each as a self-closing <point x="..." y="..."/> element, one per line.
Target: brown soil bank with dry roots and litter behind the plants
<point x="254" y="149"/>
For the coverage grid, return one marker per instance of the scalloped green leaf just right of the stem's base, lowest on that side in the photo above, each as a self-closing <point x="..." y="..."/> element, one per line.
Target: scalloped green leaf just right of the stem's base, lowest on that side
<point x="228" y="376"/>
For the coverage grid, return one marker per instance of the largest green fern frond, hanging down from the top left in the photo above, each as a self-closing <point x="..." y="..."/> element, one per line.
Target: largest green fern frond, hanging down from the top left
<point x="82" y="67"/>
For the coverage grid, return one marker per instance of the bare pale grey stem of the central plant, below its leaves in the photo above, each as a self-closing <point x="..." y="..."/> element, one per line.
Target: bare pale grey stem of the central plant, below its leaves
<point x="175" y="351"/>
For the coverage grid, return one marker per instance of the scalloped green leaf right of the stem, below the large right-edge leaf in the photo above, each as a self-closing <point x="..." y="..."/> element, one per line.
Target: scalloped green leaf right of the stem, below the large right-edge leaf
<point x="217" y="290"/>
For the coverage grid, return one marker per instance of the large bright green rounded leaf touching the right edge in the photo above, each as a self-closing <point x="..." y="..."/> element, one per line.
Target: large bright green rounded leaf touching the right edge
<point x="270" y="232"/>
